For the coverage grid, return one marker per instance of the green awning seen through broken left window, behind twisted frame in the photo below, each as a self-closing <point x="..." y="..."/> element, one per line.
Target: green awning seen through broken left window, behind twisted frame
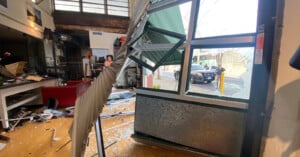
<point x="160" y="40"/>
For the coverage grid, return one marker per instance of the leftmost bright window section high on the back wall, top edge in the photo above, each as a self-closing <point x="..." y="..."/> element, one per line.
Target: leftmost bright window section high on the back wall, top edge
<point x="67" y="5"/>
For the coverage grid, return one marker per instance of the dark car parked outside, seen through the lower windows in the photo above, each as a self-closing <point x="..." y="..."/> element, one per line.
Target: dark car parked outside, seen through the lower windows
<point x="198" y="74"/>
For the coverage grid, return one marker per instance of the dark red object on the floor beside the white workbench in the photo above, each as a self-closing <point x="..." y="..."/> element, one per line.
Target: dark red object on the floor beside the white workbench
<point x="65" y="95"/>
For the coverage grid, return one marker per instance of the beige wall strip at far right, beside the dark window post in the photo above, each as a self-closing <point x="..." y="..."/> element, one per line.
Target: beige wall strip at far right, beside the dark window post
<point x="283" y="138"/>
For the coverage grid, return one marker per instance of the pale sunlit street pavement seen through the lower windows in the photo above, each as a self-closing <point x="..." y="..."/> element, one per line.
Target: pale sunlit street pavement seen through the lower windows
<point x="233" y="87"/>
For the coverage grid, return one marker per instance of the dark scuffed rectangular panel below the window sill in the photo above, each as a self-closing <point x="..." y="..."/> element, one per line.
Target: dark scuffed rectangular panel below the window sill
<point x="215" y="130"/>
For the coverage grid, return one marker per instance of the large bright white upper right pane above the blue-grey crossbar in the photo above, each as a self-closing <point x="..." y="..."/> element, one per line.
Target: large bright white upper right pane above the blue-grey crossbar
<point x="230" y="17"/>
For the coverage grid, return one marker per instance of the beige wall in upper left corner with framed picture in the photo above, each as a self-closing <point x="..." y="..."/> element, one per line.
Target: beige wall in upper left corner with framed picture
<point x="15" y="16"/>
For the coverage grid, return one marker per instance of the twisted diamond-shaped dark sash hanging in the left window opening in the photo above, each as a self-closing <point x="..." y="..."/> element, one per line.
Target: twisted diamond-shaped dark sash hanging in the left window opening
<point x="157" y="48"/>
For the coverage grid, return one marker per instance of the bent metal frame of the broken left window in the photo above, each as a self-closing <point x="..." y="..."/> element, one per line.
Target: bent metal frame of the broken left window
<point x="143" y="28"/>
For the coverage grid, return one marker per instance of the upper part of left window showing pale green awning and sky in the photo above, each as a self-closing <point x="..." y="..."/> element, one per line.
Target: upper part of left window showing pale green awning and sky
<point x="175" y="19"/>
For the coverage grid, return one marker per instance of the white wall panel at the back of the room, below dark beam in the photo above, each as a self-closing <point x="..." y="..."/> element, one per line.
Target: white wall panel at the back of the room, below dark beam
<point x="103" y="40"/>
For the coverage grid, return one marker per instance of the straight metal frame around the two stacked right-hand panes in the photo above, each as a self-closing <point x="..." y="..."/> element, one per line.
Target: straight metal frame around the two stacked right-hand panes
<point x="235" y="40"/>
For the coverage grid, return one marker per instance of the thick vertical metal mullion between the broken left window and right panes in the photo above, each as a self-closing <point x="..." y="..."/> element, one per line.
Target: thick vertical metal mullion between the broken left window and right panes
<point x="187" y="54"/>
